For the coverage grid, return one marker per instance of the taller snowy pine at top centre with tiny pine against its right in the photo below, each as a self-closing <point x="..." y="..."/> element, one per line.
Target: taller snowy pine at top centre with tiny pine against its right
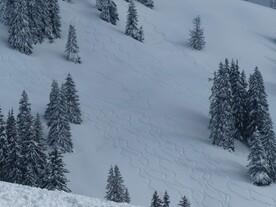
<point x="132" y="21"/>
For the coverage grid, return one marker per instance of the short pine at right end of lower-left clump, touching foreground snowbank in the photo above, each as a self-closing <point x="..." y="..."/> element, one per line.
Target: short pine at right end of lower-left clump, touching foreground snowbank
<point x="56" y="170"/>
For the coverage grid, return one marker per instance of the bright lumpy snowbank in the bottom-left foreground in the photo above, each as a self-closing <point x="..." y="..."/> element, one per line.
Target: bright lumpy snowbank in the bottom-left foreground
<point x="18" y="196"/>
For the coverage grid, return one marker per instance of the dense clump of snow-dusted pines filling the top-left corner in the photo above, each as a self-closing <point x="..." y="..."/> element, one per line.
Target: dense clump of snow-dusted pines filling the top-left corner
<point x="30" y="22"/>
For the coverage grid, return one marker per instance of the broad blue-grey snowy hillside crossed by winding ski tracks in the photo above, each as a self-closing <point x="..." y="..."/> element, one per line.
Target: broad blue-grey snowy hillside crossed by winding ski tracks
<point x="145" y="105"/>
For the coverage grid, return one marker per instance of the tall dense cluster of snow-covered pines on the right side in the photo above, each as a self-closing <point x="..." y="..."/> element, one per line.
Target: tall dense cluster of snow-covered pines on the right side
<point x="240" y="113"/>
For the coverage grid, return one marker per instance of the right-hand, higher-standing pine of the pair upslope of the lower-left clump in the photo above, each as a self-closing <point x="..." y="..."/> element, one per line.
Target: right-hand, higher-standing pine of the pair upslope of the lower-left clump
<point x="72" y="100"/>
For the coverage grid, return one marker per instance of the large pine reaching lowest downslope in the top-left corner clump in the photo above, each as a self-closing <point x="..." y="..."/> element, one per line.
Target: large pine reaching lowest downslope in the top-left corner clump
<point x="20" y="35"/>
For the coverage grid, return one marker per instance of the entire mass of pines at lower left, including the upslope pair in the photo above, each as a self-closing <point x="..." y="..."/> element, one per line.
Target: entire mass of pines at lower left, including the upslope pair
<point x="26" y="156"/>
